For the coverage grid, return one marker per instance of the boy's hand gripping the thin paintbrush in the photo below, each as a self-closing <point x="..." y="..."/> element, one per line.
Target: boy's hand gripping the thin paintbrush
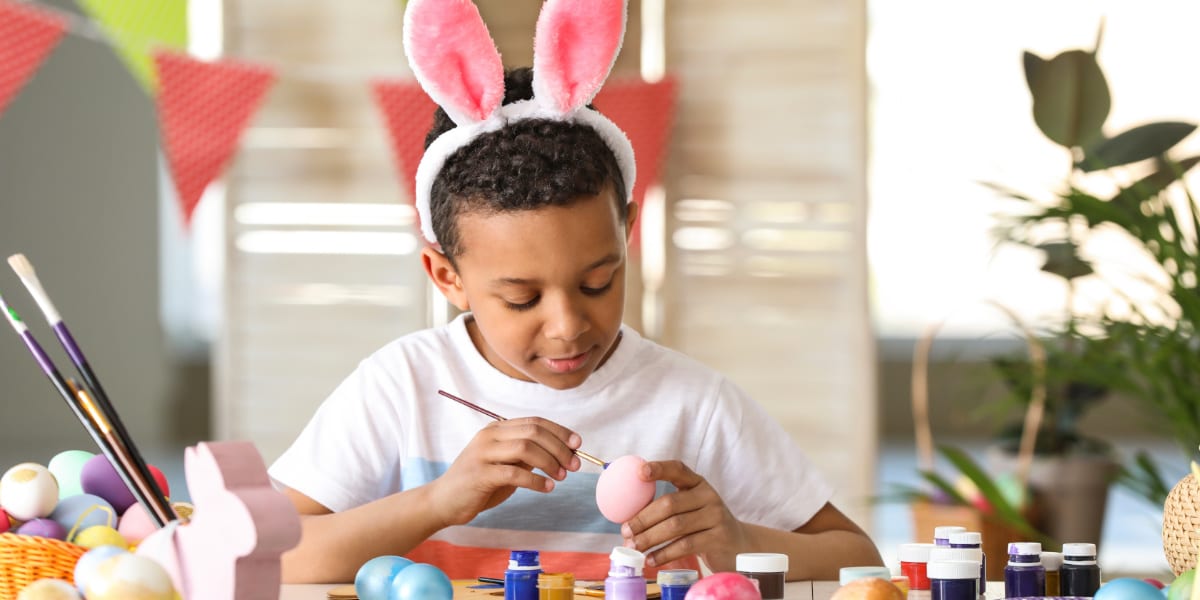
<point x="499" y="460"/>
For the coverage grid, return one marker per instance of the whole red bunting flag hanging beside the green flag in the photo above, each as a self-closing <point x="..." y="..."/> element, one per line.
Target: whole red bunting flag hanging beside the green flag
<point x="203" y="109"/>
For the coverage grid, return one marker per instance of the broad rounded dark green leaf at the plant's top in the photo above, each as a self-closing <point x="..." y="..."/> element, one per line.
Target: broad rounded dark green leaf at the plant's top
<point x="1071" y="97"/>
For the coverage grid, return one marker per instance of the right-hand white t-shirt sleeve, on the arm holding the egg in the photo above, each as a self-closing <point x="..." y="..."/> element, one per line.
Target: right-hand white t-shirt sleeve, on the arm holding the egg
<point x="757" y="467"/>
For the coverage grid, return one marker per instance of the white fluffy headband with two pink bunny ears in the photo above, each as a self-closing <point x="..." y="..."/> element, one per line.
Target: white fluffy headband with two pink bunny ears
<point x="457" y="63"/>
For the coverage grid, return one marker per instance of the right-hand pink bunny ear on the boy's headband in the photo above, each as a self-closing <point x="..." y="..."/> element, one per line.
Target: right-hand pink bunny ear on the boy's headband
<point x="574" y="50"/>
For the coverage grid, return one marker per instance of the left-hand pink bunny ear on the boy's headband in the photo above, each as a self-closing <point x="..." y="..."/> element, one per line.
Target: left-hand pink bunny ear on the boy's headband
<point x="454" y="58"/>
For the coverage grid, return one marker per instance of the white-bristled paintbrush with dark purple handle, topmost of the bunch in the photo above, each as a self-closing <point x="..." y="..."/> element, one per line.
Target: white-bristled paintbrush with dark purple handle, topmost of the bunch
<point x="25" y="269"/>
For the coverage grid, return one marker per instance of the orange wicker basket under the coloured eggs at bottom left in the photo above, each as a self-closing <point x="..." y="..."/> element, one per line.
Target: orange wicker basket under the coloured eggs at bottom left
<point x="28" y="559"/>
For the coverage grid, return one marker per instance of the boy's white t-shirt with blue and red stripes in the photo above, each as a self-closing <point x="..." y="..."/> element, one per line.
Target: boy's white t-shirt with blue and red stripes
<point x="386" y="430"/>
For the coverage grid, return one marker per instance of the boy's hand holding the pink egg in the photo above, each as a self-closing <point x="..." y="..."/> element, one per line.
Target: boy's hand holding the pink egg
<point x="694" y="520"/>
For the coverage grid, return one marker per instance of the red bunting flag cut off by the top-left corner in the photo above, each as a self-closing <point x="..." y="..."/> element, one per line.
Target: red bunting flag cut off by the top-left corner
<point x="27" y="38"/>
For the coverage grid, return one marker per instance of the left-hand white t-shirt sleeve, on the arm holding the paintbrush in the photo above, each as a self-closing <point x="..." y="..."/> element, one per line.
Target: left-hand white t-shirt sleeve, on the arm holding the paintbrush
<point x="350" y="453"/>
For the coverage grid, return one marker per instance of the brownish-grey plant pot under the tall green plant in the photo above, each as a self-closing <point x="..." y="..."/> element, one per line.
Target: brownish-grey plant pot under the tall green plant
<point x="1073" y="490"/>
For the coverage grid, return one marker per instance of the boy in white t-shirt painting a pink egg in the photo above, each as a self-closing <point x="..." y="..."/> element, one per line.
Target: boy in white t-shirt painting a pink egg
<point x="532" y="220"/>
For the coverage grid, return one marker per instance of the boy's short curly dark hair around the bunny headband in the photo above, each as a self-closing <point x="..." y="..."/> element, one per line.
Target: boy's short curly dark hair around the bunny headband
<point x="524" y="166"/>
